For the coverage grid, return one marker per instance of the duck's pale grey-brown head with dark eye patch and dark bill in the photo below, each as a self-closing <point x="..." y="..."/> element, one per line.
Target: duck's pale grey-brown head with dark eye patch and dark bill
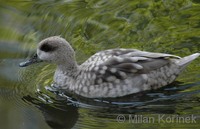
<point x="53" y="49"/>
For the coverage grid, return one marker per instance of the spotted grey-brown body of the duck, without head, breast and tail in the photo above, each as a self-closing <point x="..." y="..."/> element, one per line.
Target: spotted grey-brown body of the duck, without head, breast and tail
<point x="119" y="72"/>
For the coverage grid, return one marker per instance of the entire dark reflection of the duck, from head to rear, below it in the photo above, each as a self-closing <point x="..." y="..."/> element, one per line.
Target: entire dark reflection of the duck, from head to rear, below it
<point x="62" y="112"/>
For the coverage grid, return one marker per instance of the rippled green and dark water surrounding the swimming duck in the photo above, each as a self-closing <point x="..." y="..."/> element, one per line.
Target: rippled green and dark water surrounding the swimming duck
<point x="159" y="26"/>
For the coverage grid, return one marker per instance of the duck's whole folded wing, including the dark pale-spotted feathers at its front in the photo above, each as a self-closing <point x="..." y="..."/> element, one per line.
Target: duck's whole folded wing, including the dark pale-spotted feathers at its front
<point x="123" y="62"/>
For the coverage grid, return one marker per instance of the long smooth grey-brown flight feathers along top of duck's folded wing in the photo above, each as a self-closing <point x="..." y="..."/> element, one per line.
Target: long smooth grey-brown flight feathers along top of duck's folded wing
<point x="138" y="61"/>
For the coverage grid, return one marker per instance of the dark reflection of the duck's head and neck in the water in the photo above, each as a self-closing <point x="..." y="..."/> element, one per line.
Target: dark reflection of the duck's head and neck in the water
<point x="58" y="115"/>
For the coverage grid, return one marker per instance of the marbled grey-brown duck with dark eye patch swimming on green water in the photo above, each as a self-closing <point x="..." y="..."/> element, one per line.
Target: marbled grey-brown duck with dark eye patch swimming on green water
<point x="109" y="73"/>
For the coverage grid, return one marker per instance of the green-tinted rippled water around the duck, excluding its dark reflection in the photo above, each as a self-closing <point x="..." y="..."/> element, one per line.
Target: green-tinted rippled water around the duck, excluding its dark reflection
<point x="92" y="25"/>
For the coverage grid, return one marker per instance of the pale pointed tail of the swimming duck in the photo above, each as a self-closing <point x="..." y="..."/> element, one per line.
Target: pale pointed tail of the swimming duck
<point x="183" y="62"/>
